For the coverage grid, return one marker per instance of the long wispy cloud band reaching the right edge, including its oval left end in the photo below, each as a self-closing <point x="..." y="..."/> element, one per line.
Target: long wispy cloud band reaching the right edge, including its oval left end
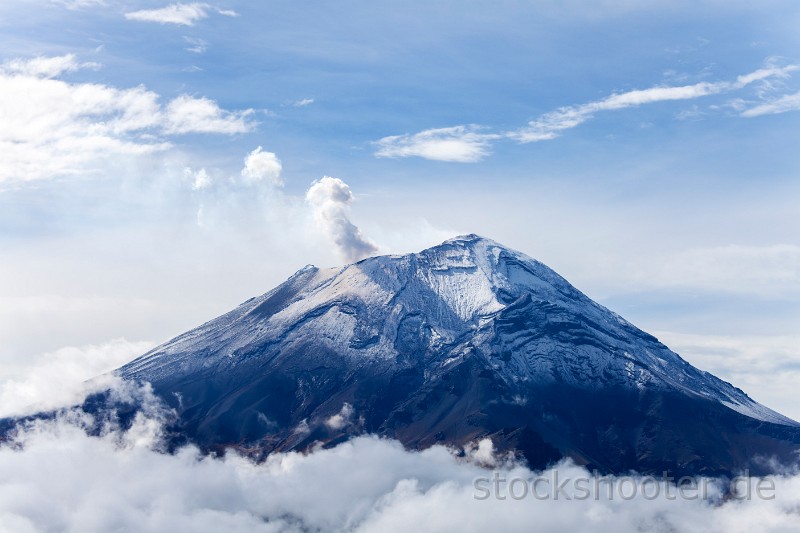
<point x="471" y="143"/>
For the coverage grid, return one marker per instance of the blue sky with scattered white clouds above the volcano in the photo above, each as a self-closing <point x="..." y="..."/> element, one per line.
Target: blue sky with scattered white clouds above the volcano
<point x="647" y="153"/>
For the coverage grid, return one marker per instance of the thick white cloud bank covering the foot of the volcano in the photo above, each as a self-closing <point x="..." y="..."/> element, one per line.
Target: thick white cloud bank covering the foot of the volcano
<point x="59" y="479"/>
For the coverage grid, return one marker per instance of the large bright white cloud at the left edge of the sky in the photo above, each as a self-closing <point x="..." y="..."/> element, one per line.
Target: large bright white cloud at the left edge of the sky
<point x="52" y="128"/>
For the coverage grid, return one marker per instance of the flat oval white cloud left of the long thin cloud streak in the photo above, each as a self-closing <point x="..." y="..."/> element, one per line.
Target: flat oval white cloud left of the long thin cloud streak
<point x="463" y="144"/>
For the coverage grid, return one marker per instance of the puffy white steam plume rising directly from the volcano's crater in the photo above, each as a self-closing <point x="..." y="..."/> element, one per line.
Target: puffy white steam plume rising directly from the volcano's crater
<point x="330" y="200"/>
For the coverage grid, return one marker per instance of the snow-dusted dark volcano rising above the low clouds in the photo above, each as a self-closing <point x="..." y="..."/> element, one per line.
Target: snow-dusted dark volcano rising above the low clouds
<point x="462" y="341"/>
